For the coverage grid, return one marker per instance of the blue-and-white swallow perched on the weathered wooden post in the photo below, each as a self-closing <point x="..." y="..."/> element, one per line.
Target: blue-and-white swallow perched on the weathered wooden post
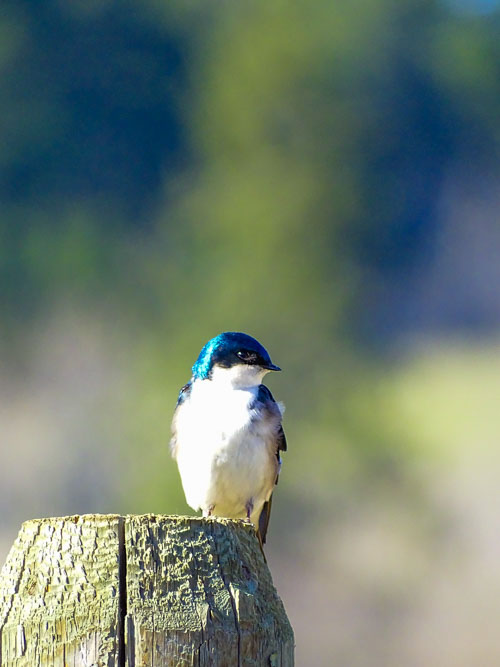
<point x="227" y="433"/>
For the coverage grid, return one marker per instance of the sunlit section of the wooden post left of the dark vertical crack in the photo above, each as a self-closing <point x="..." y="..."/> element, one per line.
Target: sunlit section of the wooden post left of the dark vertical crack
<point x="59" y="593"/>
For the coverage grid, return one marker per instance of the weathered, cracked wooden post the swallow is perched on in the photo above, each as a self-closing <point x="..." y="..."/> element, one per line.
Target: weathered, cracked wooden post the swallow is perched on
<point x="106" y="590"/>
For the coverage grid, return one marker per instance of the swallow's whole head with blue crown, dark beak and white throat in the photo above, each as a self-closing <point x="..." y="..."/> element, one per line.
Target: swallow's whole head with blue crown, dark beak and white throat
<point x="234" y="357"/>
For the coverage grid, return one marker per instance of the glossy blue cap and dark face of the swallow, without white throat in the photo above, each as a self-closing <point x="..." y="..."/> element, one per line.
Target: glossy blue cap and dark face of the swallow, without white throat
<point x="230" y="349"/>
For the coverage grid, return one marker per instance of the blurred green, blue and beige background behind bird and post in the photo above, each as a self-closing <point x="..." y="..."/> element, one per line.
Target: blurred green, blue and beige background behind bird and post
<point x="322" y="175"/>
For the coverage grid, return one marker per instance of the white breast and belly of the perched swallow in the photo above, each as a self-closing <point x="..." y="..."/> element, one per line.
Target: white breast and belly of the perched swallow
<point x="224" y="457"/>
